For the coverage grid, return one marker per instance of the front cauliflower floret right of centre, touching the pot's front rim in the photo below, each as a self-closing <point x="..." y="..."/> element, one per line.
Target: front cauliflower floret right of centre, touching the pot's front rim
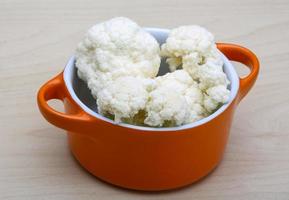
<point x="176" y="100"/>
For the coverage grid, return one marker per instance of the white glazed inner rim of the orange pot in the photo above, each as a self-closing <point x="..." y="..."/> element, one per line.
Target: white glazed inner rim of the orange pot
<point x="160" y="35"/>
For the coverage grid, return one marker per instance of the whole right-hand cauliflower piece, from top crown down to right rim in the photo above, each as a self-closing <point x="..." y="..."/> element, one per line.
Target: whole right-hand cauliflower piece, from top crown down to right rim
<point x="193" y="48"/>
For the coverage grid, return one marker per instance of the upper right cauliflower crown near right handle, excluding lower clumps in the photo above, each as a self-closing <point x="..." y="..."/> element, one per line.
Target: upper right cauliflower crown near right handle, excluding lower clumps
<point x="192" y="48"/>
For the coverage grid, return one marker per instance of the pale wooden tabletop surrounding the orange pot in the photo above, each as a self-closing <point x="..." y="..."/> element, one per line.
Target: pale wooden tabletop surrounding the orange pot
<point x="36" y="39"/>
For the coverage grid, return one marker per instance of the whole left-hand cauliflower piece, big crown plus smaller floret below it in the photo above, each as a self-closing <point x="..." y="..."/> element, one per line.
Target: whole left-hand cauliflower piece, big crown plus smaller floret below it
<point x="114" y="58"/>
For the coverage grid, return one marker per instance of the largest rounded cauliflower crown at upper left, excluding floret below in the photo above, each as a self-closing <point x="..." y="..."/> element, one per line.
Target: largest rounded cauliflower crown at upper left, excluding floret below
<point x="119" y="47"/>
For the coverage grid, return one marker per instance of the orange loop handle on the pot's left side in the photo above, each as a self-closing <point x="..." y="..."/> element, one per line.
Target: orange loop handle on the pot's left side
<point x="55" y="89"/>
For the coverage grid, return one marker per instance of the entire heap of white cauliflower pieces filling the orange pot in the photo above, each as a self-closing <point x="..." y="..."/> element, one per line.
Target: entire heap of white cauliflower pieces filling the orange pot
<point x="119" y="62"/>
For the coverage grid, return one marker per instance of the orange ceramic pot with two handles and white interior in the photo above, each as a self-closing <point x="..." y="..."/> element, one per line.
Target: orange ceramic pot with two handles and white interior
<point x="144" y="158"/>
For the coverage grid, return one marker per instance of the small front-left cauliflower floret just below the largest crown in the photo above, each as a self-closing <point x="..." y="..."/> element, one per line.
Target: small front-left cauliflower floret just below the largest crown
<point x="124" y="97"/>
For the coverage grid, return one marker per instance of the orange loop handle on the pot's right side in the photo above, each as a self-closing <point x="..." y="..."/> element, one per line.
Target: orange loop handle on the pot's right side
<point x="245" y="56"/>
